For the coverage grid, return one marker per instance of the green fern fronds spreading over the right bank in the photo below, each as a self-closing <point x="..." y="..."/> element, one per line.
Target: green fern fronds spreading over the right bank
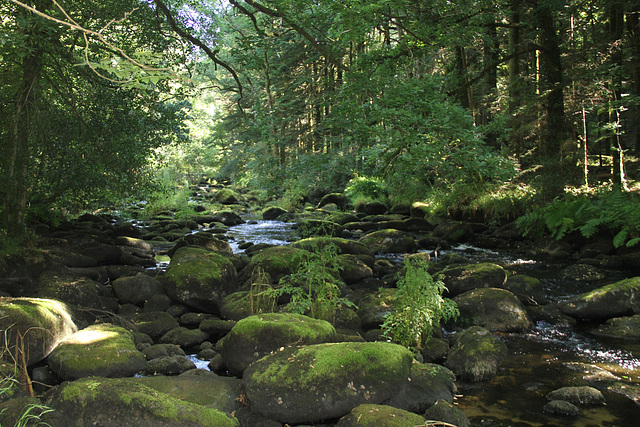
<point x="615" y="211"/>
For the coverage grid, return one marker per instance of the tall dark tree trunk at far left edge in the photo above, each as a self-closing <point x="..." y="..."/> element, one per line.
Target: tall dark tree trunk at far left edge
<point x="19" y="144"/>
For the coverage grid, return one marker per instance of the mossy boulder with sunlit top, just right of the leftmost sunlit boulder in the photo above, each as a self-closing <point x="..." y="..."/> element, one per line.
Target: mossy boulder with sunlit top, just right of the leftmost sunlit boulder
<point x="98" y="350"/>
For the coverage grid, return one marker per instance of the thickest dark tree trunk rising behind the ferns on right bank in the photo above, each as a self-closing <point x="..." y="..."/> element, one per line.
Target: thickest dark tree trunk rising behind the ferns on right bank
<point x="551" y="84"/>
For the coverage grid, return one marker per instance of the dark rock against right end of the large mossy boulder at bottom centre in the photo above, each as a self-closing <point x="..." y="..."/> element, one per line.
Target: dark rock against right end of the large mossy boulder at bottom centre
<point x="427" y="383"/>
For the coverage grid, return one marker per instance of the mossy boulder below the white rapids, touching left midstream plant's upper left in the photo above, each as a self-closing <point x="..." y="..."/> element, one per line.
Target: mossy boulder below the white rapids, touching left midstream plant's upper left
<point x="277" y="261"/>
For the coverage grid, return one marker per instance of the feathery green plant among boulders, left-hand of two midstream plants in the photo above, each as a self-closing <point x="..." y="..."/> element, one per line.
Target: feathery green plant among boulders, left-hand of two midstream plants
<point x="315" y="287"/>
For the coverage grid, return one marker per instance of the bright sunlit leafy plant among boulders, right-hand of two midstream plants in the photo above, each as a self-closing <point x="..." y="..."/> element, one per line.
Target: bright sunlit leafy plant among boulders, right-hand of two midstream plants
<point x="418" y="307"/>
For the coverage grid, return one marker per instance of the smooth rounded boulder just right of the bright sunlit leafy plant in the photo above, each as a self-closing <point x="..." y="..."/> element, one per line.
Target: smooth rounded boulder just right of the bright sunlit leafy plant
<point x="497" y="310"/>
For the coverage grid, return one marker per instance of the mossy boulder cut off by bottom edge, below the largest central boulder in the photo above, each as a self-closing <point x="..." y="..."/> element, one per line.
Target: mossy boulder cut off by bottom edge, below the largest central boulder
<point x="368" y="415"/>
